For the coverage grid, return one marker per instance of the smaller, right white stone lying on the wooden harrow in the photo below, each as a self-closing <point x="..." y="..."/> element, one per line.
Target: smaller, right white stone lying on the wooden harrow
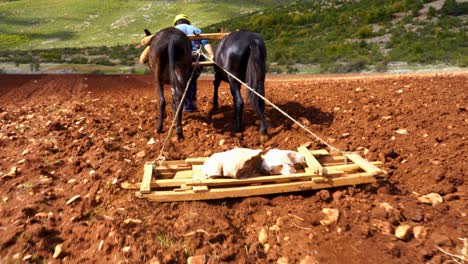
<point x="278" y="161"/>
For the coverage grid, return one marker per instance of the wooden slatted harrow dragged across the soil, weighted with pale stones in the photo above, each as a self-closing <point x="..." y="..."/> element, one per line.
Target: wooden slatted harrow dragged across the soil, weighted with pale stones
<point x="173" y="180"/>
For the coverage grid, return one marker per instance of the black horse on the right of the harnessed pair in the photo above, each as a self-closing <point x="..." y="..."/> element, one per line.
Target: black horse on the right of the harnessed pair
<point x="242" y="53"/>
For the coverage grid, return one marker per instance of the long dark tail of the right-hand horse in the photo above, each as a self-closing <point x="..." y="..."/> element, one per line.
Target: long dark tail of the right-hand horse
<point x="255" y="76"/>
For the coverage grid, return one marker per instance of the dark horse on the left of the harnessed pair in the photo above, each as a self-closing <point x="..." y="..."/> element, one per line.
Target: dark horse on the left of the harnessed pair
<point x="170" y="59"/>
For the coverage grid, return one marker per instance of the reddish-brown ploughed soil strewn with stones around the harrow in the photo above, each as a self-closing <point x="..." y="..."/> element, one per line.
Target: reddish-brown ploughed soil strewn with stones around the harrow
<point x="84" y="134"/>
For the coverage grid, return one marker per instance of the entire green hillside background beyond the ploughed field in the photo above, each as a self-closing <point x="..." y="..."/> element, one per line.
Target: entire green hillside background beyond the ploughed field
<point x="302" y="36"/>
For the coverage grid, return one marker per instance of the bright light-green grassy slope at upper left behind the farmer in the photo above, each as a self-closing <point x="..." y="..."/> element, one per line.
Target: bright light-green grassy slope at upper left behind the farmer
<point x="39" y="24"/>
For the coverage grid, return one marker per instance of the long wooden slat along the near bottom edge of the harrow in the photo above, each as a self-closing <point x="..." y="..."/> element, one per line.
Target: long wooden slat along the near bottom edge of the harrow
<point x="170" y="196"/>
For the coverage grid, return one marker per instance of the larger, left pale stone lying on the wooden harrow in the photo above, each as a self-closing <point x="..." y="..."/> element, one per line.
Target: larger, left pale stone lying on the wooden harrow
<point x="235" y="163"/>
